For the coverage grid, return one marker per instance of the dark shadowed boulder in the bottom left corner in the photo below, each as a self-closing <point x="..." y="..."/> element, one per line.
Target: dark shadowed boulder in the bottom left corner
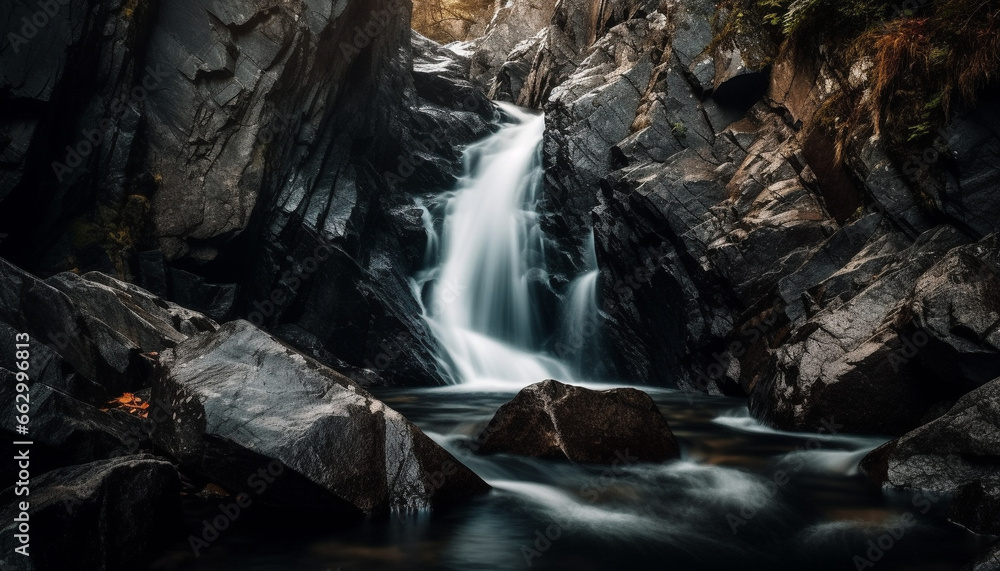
<point x="105" y="515"/>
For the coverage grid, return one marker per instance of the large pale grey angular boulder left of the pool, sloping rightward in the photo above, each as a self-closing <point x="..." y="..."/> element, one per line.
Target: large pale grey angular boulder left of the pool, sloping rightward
<point x="239" y="400"/>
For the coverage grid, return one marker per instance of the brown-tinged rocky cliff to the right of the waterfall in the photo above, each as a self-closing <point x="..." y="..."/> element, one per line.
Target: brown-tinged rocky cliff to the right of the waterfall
<point x="744" y="247"/>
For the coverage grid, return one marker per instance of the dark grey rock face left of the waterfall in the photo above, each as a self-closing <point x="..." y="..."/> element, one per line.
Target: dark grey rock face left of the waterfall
<point x="232" y="143"/>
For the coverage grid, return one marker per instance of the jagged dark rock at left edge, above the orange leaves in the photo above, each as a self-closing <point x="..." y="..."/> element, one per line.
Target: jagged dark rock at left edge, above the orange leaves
<point x="89" y="333"/>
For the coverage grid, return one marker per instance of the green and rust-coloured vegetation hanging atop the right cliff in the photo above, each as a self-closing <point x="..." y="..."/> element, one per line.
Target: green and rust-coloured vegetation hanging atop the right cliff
<point x="922" y="56"/>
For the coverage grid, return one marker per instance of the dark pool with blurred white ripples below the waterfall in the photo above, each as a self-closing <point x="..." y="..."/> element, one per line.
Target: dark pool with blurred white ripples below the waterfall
<point x="742" y="497"/>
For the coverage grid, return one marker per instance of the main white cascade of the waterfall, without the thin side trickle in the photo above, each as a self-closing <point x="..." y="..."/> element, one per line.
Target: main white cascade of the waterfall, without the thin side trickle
<point x="479" y="301"/>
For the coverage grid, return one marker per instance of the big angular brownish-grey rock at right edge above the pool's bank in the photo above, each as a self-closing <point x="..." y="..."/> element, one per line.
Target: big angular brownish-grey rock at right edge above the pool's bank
<point x="875" y="355"/>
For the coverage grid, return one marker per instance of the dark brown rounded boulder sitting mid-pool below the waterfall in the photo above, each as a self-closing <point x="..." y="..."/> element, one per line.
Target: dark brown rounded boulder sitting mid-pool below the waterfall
<point x="554" y="420"/>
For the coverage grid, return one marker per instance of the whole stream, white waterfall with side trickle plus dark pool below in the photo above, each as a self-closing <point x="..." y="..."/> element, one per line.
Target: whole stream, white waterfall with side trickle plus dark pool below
<point x="743" y="496"/>
